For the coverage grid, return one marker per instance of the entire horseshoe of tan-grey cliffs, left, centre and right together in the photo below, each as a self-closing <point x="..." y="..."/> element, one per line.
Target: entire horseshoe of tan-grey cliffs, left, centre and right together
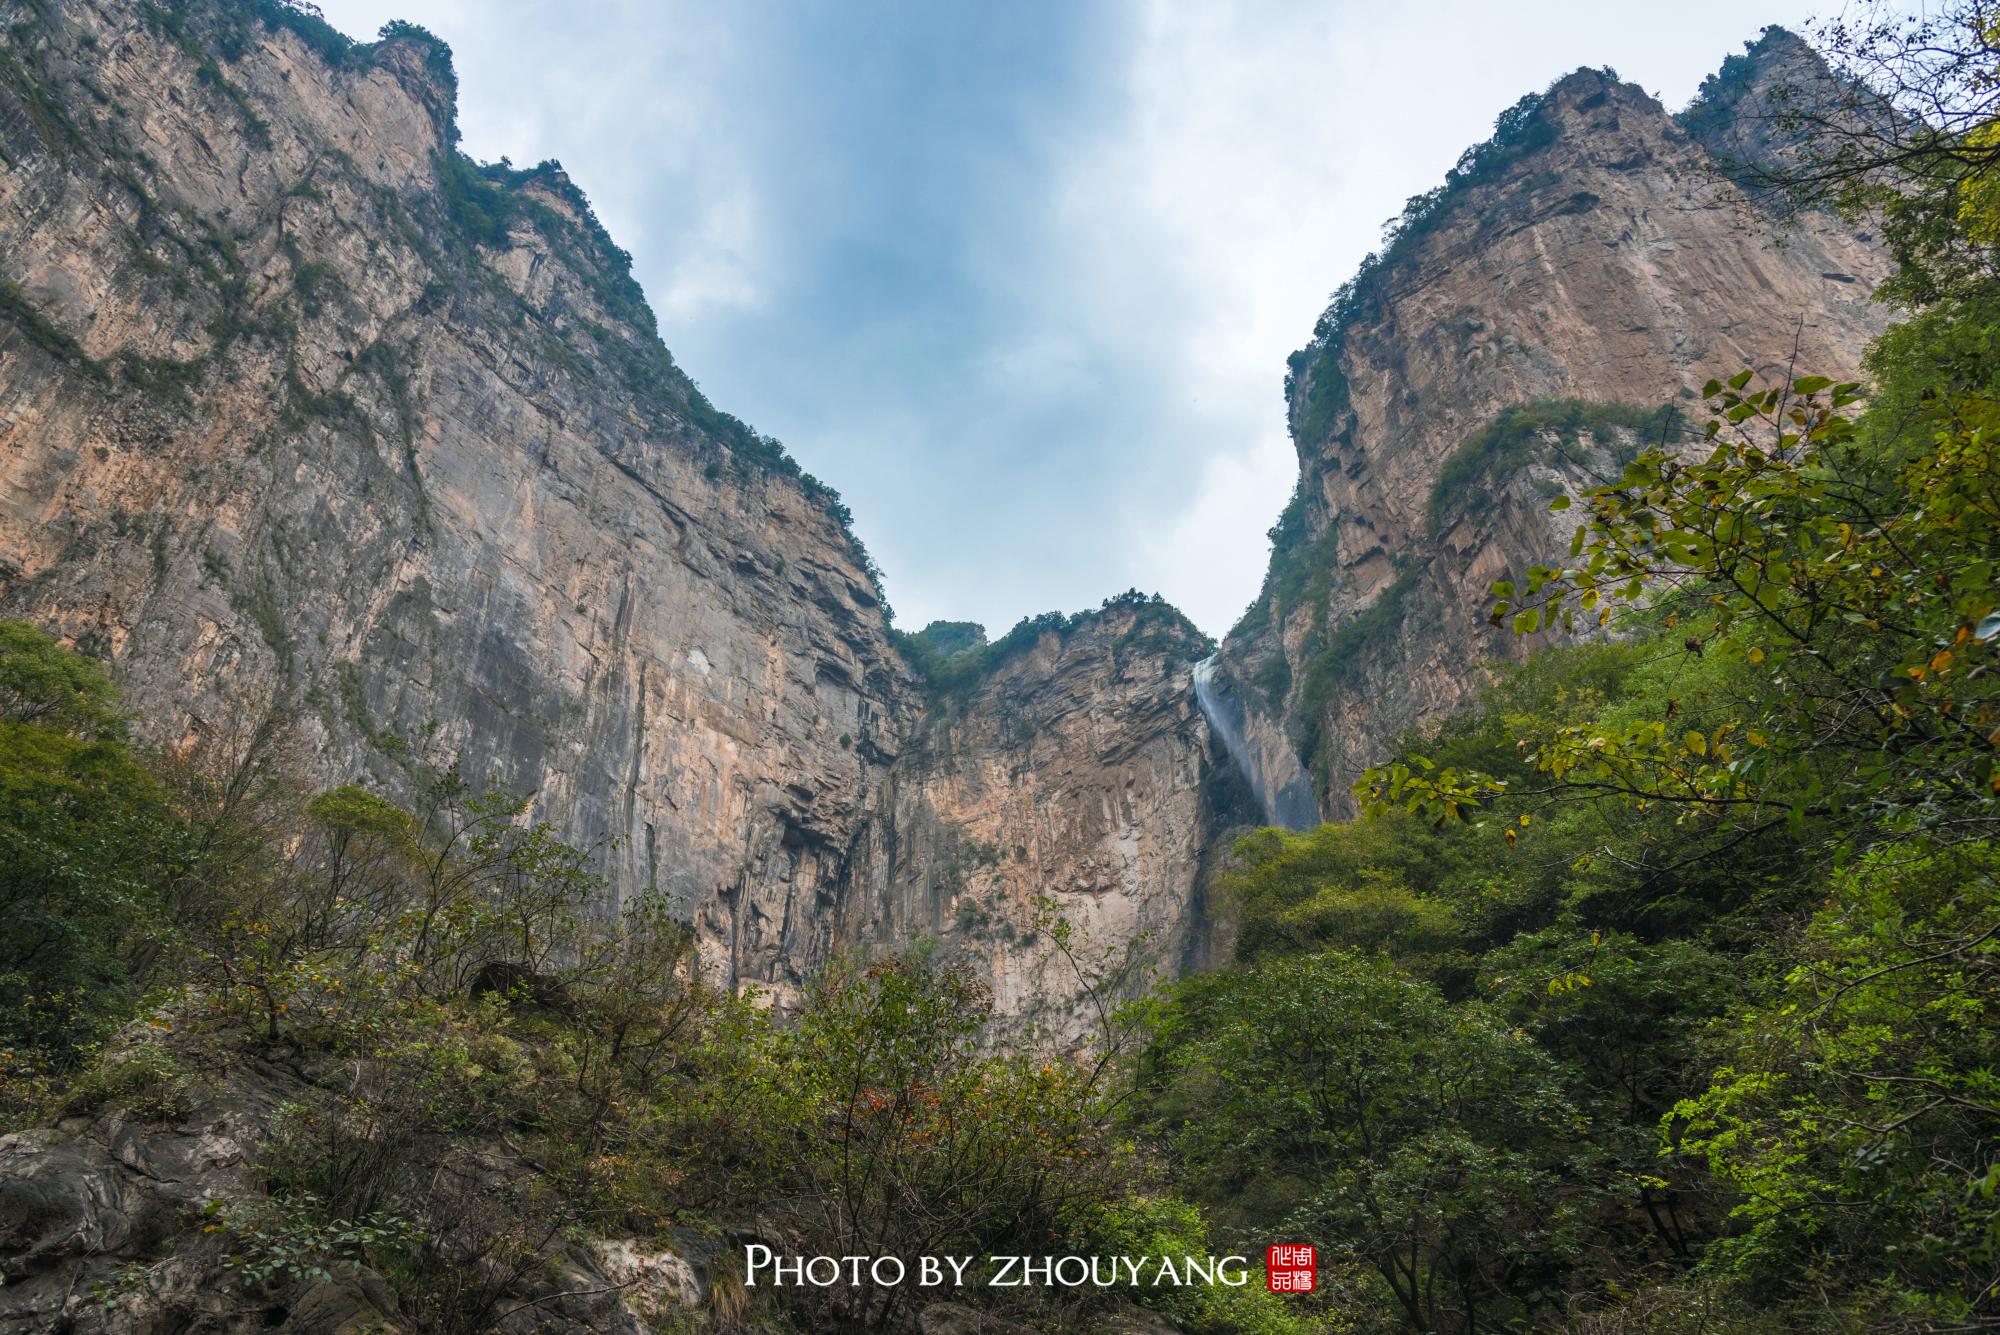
<point x="305" y="411"/>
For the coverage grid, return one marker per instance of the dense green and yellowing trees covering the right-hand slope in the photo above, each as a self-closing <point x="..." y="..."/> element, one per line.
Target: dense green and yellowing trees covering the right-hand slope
<point x="1665" y="992"/>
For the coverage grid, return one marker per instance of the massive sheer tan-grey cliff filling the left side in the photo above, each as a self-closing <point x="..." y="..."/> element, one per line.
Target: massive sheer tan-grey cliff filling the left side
<point x="293" y="413"/>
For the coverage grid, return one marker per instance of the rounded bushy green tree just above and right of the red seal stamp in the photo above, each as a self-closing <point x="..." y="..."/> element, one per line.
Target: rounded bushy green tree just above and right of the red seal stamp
<point x="1417" y="1142"/>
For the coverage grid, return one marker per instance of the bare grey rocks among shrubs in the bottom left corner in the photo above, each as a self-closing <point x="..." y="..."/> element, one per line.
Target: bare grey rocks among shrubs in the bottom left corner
<point x="159" y="1220"/>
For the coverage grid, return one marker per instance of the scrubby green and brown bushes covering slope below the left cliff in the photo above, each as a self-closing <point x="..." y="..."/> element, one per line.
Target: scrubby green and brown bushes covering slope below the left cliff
<point x="445" y="978"/>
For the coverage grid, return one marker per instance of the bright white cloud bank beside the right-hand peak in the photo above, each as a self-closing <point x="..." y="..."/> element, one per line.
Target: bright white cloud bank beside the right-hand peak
<point x="1259" y="153"/>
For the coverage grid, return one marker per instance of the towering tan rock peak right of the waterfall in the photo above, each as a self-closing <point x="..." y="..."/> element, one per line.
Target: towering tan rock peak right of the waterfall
<point x="1609" y="265"/>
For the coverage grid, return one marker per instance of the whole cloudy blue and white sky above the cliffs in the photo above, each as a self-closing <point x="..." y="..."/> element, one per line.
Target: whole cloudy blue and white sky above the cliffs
<point x="1019" y="277"/>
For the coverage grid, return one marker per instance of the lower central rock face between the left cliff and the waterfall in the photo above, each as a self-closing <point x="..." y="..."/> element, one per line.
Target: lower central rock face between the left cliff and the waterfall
<point x="1071" y="780"/>
